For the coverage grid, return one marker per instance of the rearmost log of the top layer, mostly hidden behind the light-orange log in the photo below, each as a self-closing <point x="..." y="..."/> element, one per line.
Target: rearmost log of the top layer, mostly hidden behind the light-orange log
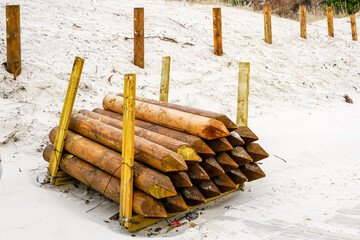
<point x="231" y="126"/>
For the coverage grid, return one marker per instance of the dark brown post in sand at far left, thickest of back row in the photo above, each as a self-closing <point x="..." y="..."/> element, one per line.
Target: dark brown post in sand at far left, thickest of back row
<point x="13" y="41"/>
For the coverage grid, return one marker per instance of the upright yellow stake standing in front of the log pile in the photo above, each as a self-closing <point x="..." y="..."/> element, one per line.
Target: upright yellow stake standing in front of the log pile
<point x="126" y="185"/>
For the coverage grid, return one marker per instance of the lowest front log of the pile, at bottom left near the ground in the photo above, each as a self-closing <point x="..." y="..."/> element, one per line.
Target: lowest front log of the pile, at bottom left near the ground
<point x="109" y="185"/>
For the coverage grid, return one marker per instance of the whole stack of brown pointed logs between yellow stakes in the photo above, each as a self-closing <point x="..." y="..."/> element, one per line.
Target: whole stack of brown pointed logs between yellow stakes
<point x="183" y="156"/>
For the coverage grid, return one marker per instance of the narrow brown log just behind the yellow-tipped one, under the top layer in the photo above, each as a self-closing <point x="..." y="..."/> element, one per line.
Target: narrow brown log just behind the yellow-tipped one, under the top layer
<point x="199" y="146"/>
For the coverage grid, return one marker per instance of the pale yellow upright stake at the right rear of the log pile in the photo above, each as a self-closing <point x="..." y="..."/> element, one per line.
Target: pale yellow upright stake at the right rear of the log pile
<point x="243" y="97"/>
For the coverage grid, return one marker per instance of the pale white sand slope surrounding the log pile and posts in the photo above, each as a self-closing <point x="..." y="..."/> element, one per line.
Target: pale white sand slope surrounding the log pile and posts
<point x="296" y="108"/>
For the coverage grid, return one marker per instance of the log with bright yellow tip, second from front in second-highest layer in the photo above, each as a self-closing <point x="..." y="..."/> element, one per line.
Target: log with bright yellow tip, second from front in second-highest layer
<point x="182" y="148"/>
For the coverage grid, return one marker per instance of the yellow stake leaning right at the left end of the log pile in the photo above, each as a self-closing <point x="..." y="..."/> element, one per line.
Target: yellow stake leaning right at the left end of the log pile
<point x="64" y="120"/>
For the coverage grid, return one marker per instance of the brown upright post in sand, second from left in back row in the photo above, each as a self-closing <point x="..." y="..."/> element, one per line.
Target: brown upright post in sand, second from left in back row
<point x="139" y="37"/>
